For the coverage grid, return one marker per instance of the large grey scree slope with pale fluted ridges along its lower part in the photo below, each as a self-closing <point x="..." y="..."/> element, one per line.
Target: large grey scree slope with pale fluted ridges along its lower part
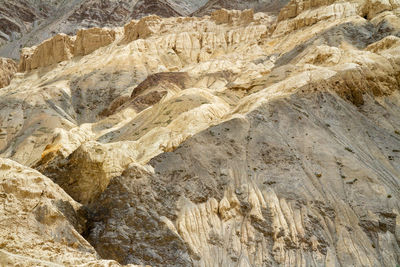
<point x="264" y="189"/>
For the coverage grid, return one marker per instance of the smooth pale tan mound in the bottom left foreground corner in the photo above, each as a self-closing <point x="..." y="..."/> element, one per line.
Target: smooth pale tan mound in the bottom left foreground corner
<point x="41" y="225"/>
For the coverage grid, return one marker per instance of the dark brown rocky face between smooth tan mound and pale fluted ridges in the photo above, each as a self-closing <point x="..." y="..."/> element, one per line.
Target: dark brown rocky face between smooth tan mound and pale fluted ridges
<point x="144" y="238"/>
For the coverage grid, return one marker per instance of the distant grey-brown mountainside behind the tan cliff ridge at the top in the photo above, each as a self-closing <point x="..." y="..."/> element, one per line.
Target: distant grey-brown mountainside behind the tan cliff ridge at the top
<point x="26" y="22"/>
